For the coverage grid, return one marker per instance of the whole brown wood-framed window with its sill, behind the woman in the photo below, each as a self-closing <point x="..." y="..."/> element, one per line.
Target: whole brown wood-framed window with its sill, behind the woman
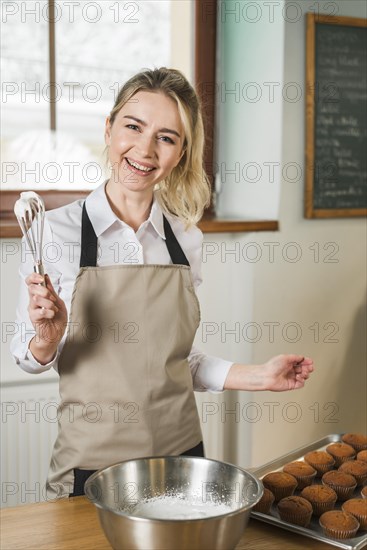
<point x="83" y="32"/>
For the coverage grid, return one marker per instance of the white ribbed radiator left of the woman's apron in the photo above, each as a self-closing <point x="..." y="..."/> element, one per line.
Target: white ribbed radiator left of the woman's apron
<point x="28" y="431"/>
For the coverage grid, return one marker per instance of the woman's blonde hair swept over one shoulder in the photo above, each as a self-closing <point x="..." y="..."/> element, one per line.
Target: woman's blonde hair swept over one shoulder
<point x="186" y="191"/>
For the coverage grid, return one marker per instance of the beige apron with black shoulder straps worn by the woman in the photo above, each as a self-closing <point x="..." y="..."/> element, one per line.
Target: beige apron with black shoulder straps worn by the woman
<point x="125" y="383"/>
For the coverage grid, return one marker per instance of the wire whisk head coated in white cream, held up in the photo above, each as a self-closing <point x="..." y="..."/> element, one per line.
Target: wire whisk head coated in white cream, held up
<point x="30" y="212"/>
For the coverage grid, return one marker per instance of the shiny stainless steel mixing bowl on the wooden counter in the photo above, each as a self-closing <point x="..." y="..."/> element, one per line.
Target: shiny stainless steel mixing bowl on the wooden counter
<point x="117" y="489"/>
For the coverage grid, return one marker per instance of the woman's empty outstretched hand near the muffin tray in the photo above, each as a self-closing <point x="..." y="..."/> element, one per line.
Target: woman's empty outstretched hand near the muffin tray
<point x="287" y="372"/>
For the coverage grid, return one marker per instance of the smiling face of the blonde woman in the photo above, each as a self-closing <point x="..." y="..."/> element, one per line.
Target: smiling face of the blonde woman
<point x="145" y="141"/>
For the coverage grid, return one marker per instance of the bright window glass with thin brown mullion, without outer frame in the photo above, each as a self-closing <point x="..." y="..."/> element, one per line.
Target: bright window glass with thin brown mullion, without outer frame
<point x="64" y="63"/>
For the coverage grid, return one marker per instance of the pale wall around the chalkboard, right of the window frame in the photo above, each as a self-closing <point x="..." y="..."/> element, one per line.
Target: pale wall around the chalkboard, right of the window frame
<point x="322" y="293"/>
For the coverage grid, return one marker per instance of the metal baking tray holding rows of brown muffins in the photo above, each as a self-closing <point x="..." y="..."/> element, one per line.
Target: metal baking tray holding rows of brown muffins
<point x="314" y="530"/>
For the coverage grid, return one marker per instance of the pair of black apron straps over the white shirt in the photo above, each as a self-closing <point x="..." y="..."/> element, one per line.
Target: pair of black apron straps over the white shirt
<point x="88" y="254"/>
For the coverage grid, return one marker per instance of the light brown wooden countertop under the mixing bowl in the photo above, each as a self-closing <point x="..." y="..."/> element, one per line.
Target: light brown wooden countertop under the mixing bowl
<point x="72" y="524"/>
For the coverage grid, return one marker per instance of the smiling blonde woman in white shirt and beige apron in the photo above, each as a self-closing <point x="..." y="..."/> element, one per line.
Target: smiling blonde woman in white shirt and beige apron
<point x="122" y="267"/>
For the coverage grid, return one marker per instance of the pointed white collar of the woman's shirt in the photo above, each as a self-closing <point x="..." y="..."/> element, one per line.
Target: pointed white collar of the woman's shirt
<point x="102" y="216"/>
